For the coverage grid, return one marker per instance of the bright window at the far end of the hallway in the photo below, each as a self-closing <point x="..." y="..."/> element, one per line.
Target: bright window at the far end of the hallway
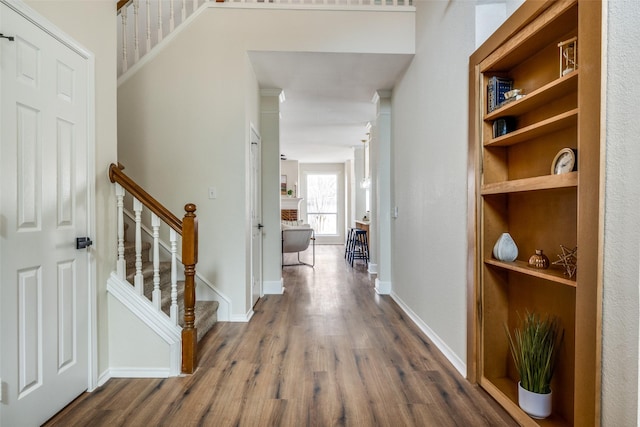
<point x="322" y="203"/>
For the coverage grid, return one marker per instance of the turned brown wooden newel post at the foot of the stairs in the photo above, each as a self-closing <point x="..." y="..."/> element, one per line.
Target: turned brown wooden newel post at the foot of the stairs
<point x="189" y="259"/>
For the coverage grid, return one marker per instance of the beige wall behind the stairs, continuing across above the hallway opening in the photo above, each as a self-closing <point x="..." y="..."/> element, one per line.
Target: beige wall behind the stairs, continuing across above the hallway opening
<point x="183" y="118"/>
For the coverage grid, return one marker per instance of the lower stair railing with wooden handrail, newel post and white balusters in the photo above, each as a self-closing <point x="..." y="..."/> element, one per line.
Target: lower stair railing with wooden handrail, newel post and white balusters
<point x="188" y="229"/>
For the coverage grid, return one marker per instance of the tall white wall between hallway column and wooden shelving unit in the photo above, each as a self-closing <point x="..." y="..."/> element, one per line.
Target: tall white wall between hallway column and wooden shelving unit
<point x="429" y="133"/>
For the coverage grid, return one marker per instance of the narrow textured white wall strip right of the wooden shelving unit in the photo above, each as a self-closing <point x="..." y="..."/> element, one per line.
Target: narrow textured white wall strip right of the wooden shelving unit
<point x="622" y="210"/>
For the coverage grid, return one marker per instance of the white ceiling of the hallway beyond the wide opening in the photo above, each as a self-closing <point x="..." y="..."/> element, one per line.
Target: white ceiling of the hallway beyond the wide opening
<point x="328" y="98"/>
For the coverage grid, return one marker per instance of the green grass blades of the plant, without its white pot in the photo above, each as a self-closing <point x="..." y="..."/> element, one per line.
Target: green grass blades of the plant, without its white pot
<point x="534" y="347"/>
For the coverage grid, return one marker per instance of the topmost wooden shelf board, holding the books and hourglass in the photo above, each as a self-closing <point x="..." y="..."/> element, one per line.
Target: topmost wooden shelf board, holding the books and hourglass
<point x="546" y="94"/>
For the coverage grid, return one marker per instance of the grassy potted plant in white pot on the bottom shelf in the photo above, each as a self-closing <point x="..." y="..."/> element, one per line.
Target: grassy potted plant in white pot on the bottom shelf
<point x="534" y="347"/>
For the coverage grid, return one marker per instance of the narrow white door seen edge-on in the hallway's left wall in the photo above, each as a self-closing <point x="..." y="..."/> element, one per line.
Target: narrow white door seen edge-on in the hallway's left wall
<point x="256" y="219"/>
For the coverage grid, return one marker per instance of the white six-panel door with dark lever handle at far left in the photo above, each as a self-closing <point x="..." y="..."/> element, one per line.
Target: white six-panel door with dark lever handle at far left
<point x="43" y="199"/>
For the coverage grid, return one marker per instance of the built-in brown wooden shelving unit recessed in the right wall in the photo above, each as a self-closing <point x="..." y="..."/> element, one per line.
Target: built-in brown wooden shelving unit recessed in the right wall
<point x="512" y="189"/>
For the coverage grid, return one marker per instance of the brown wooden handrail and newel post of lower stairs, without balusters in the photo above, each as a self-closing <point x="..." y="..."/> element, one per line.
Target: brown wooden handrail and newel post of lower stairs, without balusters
<point x="188" y="229"/>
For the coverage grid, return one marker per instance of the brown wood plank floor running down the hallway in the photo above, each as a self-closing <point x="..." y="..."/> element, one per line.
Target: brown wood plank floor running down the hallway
<point x="328" y="352"/>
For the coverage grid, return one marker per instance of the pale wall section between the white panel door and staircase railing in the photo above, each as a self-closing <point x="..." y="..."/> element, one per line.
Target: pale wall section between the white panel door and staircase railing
<point x="93" y="24"/>
